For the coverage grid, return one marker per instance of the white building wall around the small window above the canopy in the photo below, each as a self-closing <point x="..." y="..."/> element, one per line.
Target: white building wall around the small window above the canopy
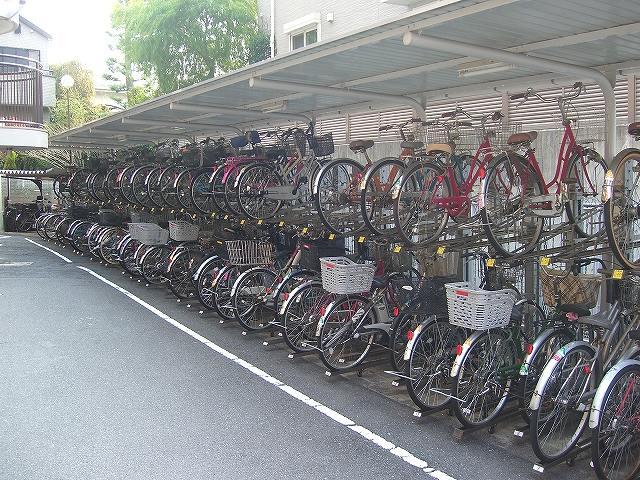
<point x="348" y="15"/>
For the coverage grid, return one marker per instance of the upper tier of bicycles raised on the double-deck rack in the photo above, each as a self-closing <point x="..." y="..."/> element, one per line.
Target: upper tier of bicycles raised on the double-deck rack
<point x="458" y="177"/>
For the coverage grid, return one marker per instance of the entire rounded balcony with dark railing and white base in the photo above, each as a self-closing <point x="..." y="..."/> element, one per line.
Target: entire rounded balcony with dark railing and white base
<point x="21" y="104"/>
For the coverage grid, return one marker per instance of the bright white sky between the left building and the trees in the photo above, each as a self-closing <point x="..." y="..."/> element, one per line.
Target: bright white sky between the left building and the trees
<point x="79" y="30"/>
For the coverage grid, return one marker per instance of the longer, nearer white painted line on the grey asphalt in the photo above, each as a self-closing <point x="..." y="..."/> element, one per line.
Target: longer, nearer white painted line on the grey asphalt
<point x="328" y="412"/>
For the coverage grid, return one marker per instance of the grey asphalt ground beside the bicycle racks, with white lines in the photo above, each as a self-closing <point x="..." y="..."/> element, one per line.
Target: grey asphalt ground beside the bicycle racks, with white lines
<point x="104" y="382"/>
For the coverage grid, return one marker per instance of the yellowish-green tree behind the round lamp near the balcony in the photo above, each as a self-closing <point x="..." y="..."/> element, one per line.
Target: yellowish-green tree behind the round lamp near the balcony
<point x="79" y="98"/>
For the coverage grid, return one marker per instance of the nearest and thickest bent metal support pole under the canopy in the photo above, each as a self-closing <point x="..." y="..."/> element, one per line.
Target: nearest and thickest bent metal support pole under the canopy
<point x="476" y="51"/>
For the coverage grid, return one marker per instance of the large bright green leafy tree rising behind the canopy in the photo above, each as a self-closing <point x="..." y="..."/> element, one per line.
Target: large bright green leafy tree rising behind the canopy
<point x="179" y="43"/>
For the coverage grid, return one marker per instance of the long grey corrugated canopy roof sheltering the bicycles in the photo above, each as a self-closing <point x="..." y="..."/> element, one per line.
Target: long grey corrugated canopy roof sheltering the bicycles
<point x="587" y="33"/>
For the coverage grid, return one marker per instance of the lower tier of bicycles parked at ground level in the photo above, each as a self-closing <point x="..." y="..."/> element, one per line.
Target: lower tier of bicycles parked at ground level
<point x="573" y="375"/>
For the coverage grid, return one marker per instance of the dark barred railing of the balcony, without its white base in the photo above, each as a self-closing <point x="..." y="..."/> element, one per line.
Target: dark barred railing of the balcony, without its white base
<point x="20" y="92"/>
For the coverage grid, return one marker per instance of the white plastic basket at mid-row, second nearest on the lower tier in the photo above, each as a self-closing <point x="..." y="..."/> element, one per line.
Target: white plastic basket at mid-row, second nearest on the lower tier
<point x="342" y="276"/>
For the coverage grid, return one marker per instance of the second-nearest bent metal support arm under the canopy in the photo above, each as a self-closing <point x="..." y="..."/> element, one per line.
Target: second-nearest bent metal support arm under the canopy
<point x="339" y="92"/>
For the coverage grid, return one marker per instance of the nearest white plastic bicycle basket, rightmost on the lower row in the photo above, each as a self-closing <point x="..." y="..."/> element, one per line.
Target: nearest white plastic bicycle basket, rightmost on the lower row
<point x="477" y="309"/>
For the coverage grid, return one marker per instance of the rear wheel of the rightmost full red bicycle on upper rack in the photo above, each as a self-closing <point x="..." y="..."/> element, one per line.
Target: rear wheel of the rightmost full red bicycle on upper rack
<point x="510" y="227"/>
